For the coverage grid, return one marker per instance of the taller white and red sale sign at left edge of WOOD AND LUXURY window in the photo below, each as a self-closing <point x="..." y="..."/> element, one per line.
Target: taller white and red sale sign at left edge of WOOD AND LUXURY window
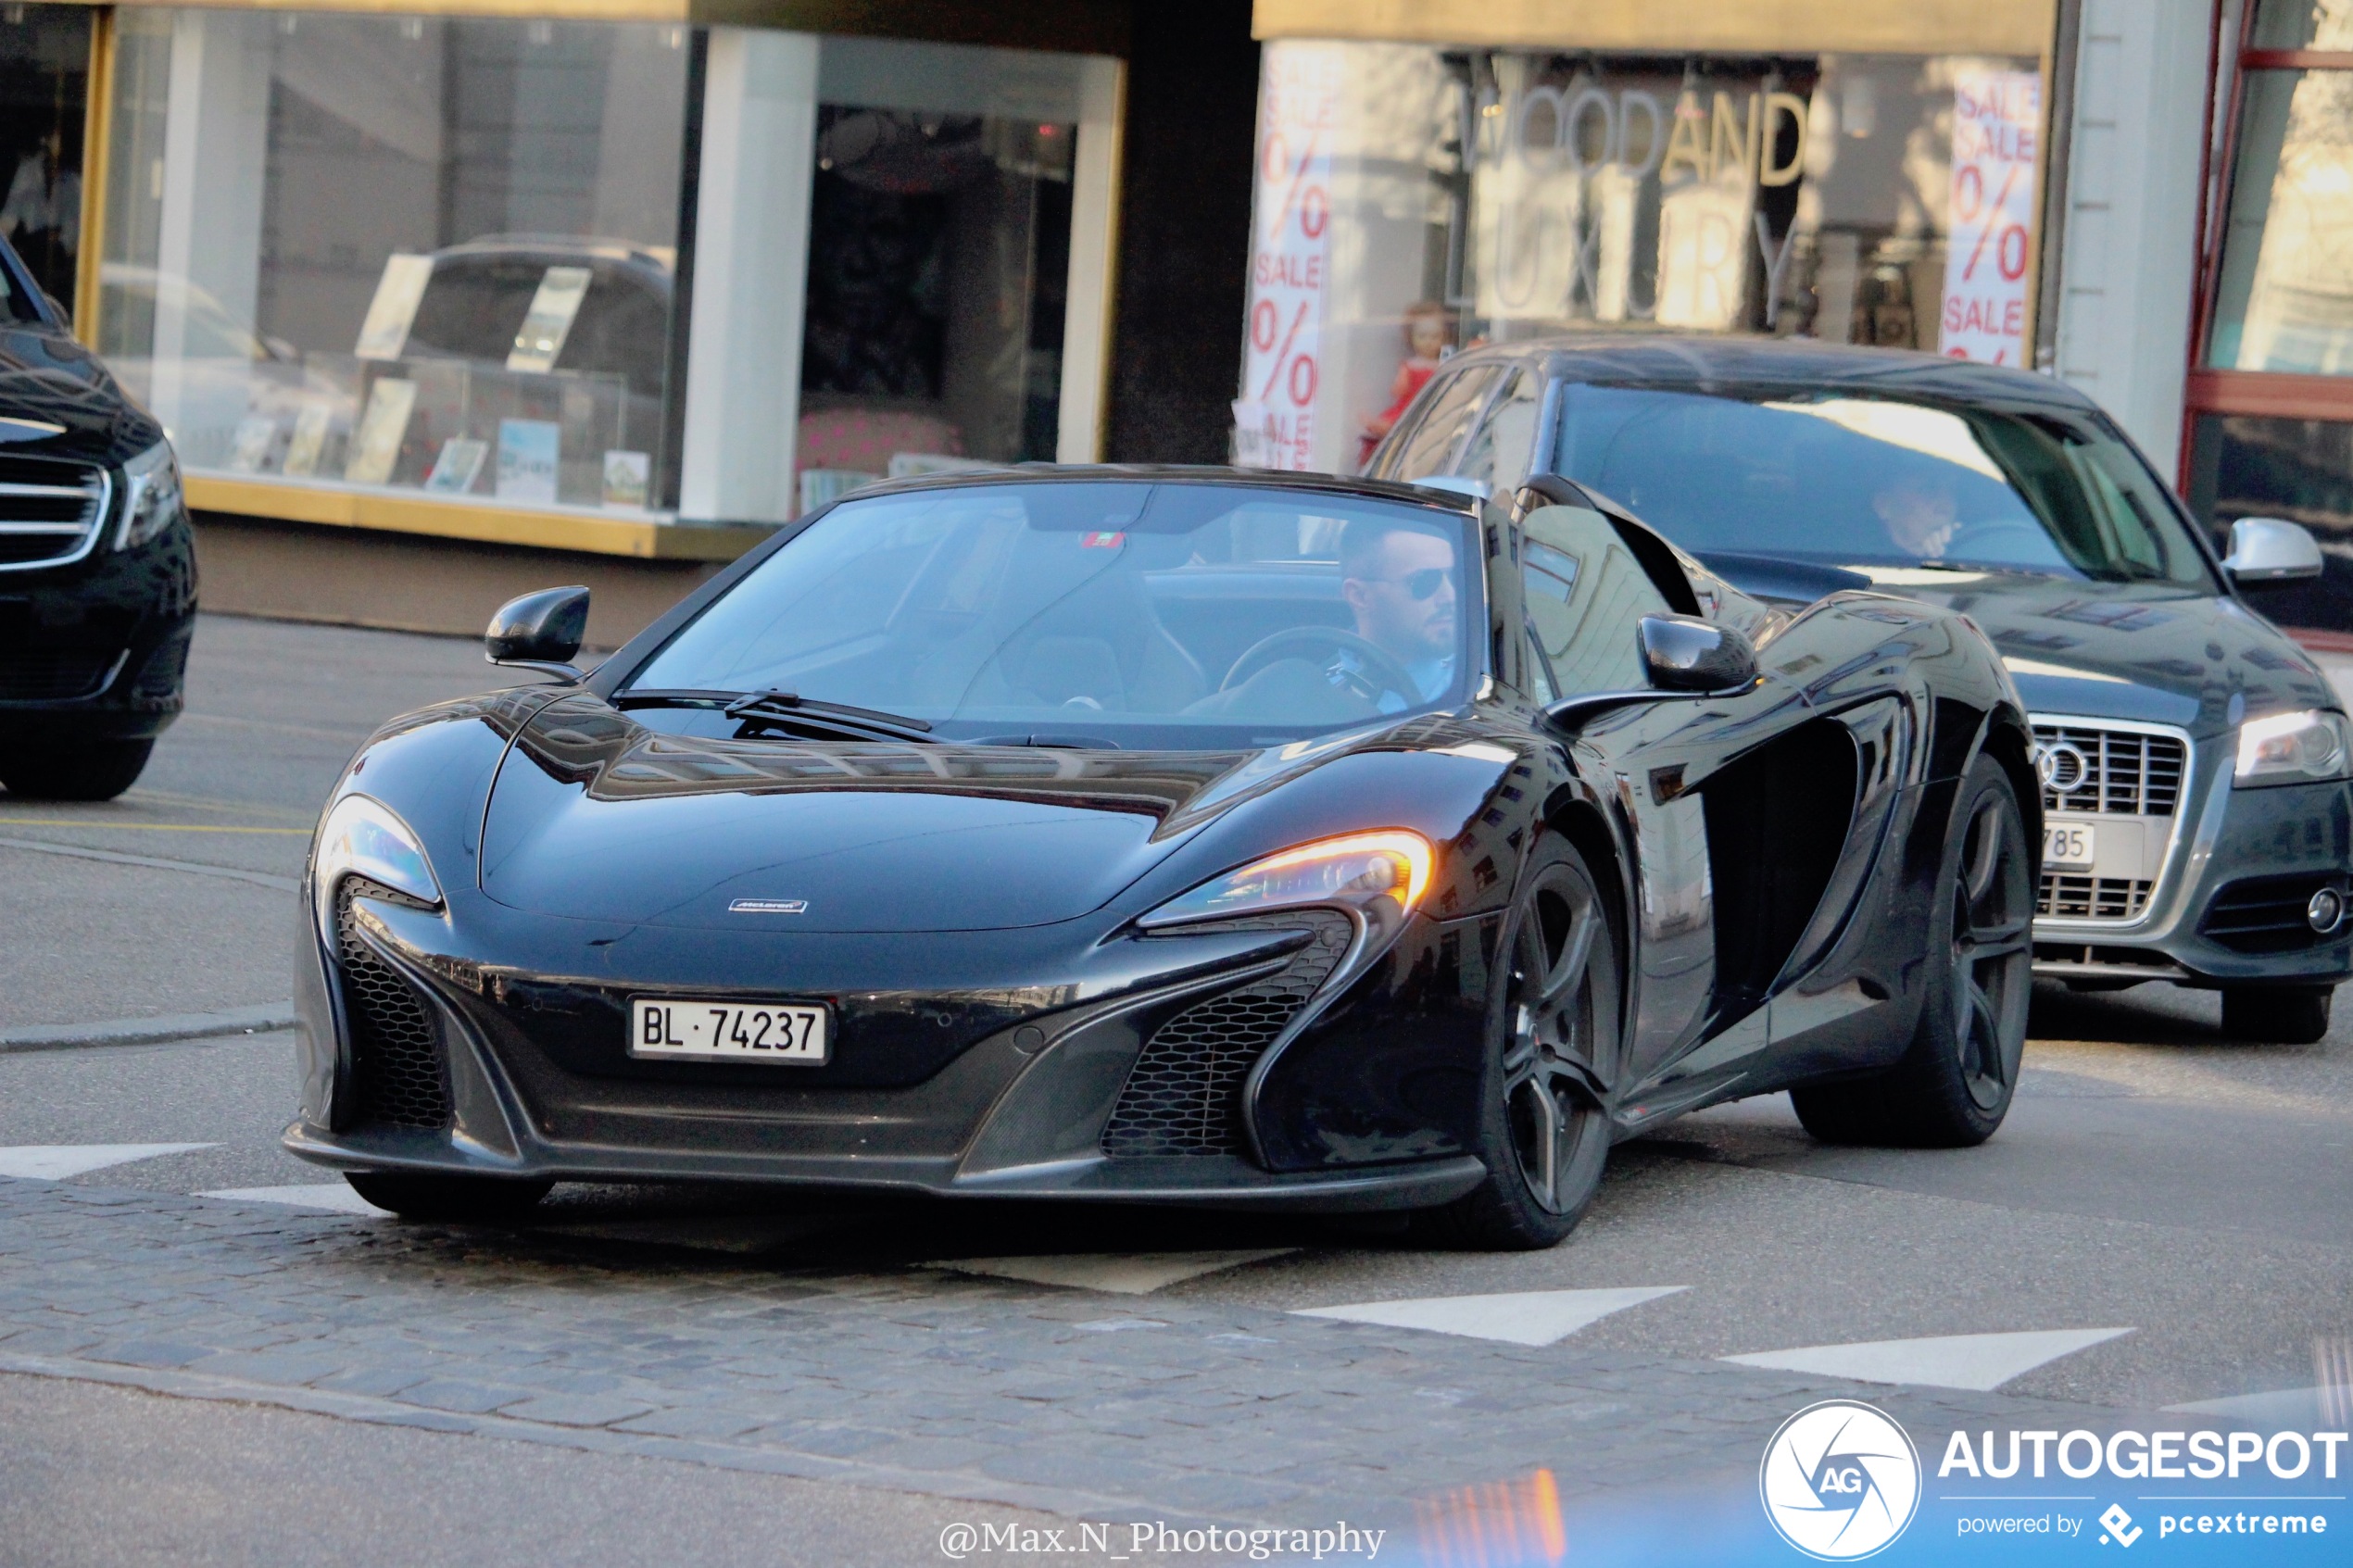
<point x="1274" y="422"/>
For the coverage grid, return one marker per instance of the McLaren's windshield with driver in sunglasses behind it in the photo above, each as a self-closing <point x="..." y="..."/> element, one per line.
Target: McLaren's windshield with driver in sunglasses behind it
<point x="1072" y="612"/>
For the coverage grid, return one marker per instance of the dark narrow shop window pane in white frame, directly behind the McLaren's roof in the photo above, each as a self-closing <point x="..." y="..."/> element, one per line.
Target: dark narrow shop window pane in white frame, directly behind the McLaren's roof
<point x="940" y="260"/>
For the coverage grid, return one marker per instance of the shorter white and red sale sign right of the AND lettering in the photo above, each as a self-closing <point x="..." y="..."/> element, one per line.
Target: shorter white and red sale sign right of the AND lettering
<point x="1989" y="232"/>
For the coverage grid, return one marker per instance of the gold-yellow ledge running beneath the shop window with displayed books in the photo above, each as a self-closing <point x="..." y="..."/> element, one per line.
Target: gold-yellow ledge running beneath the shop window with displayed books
<point x="488" y="525"/>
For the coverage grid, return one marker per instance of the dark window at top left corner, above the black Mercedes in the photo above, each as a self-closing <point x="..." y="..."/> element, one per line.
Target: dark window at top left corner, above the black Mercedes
<point x="44" y="102"/>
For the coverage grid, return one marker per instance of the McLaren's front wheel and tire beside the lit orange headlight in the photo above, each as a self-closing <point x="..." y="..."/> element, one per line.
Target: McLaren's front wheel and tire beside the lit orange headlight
<point x="1552" y="1040"/>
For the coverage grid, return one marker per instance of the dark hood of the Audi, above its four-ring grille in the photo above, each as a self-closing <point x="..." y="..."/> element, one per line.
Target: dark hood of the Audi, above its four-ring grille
<point x="2128" y="650"/>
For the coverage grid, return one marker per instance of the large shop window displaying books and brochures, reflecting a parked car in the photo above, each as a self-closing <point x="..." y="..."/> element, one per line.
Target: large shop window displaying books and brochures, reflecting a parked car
<point x="401" y="253"/>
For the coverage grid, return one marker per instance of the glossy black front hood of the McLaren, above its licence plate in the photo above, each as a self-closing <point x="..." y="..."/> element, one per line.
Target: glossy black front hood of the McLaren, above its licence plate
<point x="606" y="819"/>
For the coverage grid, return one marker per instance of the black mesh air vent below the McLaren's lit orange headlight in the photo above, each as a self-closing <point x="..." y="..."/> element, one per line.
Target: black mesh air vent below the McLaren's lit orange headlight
<point x="1187" y="1087"/>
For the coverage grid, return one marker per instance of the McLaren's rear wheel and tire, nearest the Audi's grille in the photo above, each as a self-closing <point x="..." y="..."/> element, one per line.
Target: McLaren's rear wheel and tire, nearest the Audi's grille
<point x="1954" y="1083"/>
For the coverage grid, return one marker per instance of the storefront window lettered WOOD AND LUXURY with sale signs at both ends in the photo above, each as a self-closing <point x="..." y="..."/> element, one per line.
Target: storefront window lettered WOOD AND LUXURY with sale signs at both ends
<point x="1413" y="199"/>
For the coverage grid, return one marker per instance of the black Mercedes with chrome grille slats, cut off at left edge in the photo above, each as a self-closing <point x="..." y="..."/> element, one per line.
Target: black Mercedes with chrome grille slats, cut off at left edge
<point x="98" y="568"/>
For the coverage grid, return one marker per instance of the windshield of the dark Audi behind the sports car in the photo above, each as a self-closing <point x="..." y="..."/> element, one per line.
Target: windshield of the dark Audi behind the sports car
<point x="1879" y="485"/>
